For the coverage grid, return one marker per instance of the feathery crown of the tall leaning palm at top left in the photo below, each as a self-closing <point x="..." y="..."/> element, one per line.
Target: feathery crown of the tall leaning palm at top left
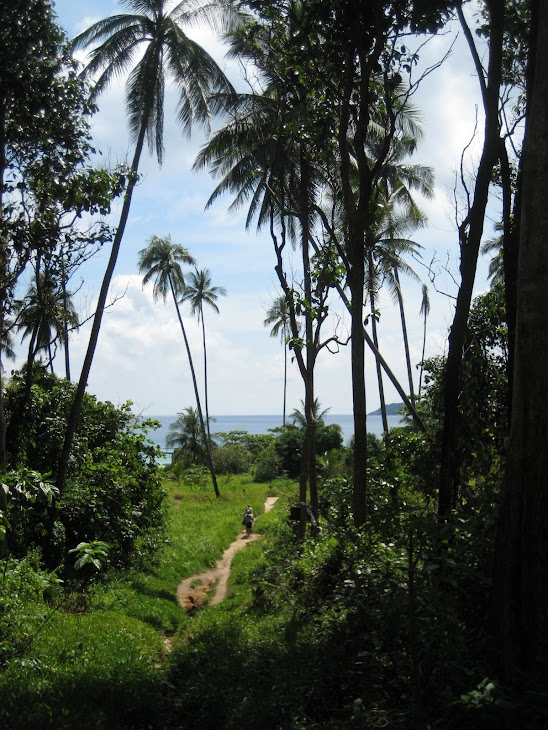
<point x="167" y="53"/>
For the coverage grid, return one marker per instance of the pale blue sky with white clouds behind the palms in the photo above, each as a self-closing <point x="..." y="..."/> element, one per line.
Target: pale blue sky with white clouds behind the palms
<point x="140" y="355"/>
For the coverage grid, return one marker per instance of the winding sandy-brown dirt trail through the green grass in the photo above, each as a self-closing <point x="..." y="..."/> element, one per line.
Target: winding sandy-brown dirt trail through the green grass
<point x="193" y="591"/>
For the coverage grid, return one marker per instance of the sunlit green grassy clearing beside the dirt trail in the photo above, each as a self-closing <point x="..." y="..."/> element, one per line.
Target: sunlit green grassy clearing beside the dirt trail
<point x="102" y="663"/>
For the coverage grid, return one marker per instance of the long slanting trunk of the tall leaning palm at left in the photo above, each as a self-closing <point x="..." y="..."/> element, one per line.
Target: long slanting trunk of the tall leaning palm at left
<point x="76" y="408"/>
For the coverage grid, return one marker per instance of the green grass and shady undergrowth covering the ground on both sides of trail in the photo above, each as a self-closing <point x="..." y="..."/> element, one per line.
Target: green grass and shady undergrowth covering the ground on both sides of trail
<point x="382" y="627"/>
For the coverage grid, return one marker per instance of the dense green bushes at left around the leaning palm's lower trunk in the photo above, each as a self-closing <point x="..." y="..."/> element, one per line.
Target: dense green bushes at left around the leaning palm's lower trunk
<point x="113" y="494"/>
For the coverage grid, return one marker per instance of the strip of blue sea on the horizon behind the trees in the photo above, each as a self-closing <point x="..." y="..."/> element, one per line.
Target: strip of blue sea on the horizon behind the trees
<point x="262" y="424"/>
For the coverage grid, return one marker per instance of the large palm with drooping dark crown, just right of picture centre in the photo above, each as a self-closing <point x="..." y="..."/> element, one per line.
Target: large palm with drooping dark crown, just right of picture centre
<point x="258" y="158"/>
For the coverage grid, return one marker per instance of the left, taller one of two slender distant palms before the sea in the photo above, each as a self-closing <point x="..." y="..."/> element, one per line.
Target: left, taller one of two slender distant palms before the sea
<point x="160" y="261"/>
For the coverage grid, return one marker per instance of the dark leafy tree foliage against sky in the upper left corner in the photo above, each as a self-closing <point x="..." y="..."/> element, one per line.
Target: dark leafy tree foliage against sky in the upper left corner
<point x="47" y="182"/>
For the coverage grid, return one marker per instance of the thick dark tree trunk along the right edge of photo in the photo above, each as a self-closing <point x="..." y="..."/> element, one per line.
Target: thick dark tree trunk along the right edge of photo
<point x="519" y="608"/>
